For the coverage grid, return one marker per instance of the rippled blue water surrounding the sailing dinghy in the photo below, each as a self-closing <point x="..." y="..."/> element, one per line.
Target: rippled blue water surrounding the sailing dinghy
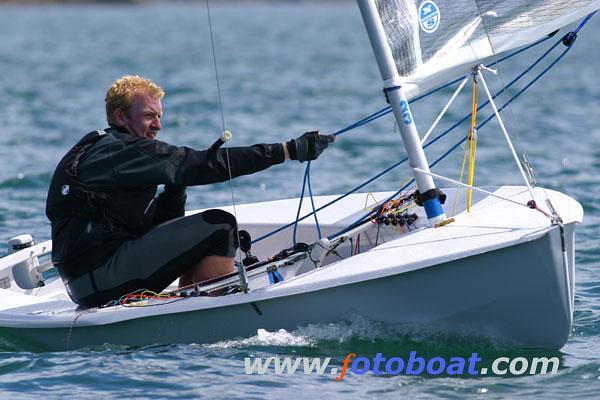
<point x="284" y="69"/>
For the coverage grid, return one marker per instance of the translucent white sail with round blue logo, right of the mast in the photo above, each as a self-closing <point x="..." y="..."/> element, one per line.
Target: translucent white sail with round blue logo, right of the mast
<point x="435" y="40"/>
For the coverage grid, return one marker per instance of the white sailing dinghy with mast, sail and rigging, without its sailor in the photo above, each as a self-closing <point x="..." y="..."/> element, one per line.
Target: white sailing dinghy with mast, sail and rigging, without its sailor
<point x="445" y="260"/>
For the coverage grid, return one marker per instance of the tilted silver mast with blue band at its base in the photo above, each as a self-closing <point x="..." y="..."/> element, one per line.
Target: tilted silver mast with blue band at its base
<point x="392" y="87"/>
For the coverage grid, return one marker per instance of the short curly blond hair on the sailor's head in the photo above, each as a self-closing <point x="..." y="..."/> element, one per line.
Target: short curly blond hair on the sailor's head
<point x="122" y="92"/>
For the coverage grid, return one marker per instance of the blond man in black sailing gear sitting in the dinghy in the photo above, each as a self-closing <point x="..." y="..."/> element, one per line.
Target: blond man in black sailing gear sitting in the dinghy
<point x="112" y="234"/>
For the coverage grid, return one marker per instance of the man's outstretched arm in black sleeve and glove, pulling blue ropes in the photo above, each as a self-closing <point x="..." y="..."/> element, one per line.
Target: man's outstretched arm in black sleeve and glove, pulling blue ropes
<point x="125" y="161"/>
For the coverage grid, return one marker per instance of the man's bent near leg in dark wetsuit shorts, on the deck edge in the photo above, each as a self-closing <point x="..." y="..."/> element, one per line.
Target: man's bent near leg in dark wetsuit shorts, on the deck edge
<point x="206" y="242"/>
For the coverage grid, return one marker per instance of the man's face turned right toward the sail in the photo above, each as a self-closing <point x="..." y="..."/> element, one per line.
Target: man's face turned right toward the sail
<point x="143" y="119"/>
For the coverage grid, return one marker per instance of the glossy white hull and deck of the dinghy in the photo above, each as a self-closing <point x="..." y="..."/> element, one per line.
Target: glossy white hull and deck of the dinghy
<point x="497" y="272"/>
